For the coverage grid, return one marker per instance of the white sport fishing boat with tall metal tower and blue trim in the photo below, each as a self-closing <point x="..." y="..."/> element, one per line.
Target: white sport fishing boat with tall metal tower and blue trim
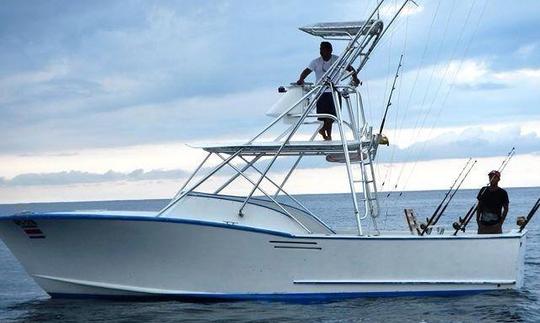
<point x="212" y="245"/>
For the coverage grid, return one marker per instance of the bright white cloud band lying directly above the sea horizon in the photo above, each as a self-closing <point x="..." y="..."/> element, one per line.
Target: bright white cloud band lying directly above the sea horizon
<point x="428" y="175"/>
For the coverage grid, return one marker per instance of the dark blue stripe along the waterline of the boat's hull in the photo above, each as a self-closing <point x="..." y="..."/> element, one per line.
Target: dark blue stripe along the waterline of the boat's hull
<point x="293" y="297"/>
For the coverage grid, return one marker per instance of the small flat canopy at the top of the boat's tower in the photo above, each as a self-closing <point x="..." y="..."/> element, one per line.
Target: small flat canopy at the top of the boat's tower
<point x="343" y="29"/>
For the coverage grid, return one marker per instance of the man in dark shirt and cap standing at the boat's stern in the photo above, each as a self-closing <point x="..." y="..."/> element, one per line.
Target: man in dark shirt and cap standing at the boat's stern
<point x="492" y="206"/>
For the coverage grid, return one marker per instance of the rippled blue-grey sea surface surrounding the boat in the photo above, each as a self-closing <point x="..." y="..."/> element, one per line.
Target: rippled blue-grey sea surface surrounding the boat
<point x="22" y="300"/>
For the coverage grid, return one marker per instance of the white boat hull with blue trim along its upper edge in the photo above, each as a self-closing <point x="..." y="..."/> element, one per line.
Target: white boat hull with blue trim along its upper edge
<point x="157" y="257"/>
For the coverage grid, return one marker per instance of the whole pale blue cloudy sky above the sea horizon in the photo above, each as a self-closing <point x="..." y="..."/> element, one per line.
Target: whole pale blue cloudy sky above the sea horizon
<point x="98" y="99"/>
